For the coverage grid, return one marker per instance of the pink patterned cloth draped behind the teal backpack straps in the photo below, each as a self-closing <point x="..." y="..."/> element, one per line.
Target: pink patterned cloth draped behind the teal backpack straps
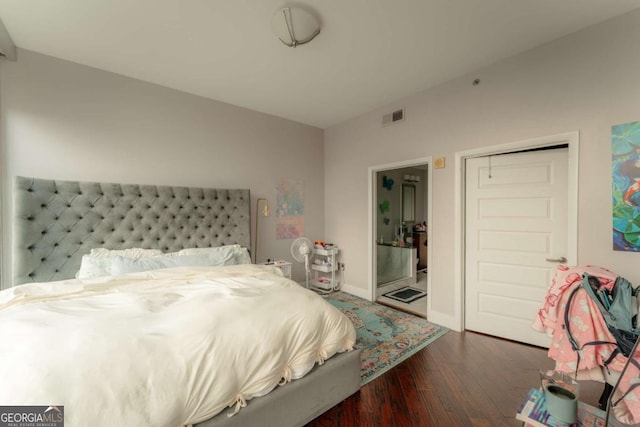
<point x="587" y="325"/>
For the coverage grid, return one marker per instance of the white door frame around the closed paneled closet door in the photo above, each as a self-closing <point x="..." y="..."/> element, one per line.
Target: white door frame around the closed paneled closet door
<point x="571" y="139"/>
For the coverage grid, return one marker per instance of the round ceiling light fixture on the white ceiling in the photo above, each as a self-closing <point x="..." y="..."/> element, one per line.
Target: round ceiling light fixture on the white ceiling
<point x="294" y="26"/>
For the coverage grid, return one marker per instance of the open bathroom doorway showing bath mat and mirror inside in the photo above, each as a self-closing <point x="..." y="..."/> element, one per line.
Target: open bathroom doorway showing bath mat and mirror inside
<point x="401" y="213"/>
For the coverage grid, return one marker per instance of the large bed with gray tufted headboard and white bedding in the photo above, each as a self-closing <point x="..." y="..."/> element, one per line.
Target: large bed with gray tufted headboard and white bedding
<point x="58" y="223"/>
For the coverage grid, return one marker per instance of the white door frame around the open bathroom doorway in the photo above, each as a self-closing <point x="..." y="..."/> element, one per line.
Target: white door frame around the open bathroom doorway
<point x="373" y="205"/>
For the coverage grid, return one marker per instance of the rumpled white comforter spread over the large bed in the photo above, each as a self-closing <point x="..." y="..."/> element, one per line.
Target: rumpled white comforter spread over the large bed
<point x="163" y="348"/>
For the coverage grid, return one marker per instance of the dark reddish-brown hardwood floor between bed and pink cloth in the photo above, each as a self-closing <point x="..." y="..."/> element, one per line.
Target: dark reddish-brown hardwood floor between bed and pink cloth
<point x="462" y="379"/>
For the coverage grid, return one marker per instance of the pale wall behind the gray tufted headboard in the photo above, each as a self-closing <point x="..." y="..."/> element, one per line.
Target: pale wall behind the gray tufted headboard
<point x="66" y="121"/>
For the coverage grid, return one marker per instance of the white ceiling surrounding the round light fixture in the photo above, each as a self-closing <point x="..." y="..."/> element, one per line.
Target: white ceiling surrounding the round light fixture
<point x="368" y="54"/>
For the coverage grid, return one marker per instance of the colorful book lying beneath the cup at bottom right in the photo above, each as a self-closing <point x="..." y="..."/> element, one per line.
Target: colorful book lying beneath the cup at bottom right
<point x="533" y="413"/>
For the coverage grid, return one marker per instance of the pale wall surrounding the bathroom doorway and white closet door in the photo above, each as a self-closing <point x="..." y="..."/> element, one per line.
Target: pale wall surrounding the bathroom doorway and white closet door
<point x="587" y="81"/>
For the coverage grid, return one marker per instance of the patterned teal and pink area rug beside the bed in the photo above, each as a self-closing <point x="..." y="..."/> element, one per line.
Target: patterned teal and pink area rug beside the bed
<point x="386" y="336"/>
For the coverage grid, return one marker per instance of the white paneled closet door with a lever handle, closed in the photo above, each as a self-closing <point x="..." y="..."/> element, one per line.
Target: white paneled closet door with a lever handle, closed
<point x="515" y="235"/>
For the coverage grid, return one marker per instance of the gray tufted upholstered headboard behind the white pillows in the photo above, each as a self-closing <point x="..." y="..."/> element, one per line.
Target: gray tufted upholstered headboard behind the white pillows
<point x="56" y="222"/>
